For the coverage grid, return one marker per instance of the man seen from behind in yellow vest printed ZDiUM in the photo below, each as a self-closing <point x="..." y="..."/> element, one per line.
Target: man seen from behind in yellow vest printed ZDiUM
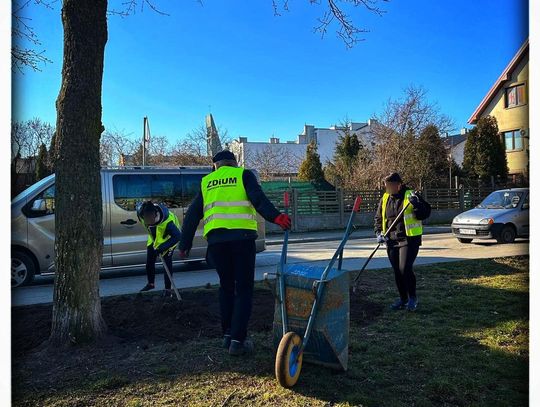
<point x="227" y="202"/>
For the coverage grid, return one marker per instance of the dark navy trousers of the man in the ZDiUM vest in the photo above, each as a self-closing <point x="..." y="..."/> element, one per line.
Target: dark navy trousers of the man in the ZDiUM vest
<point x="235" y="264"/>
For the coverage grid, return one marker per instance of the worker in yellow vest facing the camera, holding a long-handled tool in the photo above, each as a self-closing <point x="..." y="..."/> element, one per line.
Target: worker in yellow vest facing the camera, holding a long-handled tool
<point x="404" y="240"/>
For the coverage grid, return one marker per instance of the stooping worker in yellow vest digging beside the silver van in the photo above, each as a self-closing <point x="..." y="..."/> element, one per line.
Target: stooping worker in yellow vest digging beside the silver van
<point x="163" y="236"/>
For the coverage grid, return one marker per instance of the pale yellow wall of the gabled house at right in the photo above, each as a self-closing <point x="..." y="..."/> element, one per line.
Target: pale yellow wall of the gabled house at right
<point x="514" y="118"/>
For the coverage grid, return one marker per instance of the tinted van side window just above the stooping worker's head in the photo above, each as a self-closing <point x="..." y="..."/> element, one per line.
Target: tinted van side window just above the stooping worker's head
<point x="128" y="189"/>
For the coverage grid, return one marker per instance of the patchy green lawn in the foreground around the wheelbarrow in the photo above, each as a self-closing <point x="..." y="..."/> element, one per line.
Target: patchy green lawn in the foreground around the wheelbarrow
<point x="467" y="345"/>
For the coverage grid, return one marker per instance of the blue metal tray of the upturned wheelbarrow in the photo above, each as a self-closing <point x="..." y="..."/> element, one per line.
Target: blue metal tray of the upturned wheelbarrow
<point x="328" y="343"/>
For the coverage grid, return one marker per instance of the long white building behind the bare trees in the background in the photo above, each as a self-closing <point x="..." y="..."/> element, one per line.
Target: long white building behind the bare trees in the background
<point x="277" y="157"/>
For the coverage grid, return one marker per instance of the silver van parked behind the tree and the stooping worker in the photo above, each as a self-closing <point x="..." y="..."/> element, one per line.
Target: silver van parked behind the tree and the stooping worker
<point x="124" y="238"/>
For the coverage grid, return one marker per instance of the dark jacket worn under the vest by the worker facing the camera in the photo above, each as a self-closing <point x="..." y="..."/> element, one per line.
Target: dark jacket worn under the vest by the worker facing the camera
<point x="394" y="205"/>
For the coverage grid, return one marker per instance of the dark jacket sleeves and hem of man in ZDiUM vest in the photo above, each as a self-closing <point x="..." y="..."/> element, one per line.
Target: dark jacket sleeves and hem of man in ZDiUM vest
<point x="195" y="213"/>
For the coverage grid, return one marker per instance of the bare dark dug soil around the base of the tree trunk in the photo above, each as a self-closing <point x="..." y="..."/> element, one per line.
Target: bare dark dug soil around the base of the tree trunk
<point x="149" y="317"/>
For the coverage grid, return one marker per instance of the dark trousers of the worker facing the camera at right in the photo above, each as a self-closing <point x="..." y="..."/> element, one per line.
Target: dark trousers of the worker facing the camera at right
<point x="402" y="259"/>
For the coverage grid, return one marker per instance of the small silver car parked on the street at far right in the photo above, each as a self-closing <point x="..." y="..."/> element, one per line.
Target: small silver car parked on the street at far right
<point x="502" y="215"/>
